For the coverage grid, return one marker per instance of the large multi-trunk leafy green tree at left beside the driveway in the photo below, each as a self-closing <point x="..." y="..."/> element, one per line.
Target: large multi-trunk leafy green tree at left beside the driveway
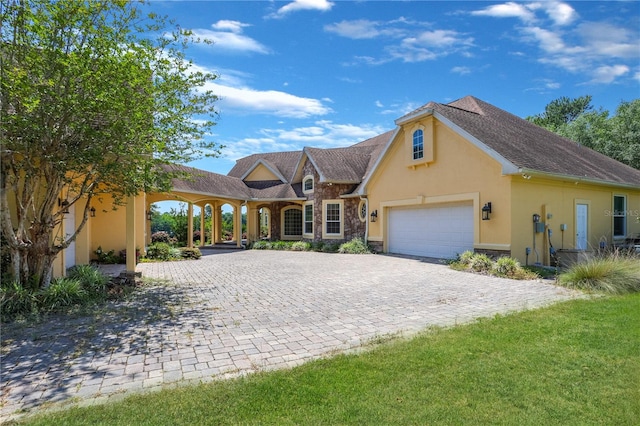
<point x="90" y="104"/>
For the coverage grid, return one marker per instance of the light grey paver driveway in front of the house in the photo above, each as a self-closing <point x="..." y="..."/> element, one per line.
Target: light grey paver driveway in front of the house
<point x="235" y="312"/>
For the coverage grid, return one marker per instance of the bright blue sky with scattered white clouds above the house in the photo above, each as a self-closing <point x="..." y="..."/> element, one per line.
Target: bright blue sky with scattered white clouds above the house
<point x="332" y="73"/>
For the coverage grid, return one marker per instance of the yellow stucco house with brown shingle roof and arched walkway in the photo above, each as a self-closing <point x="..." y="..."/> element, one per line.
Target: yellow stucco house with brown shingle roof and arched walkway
<point x="451" y="177"/>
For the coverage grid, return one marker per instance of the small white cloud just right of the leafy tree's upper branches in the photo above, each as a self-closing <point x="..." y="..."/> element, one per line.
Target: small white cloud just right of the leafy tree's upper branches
<point x="227" y="36"/>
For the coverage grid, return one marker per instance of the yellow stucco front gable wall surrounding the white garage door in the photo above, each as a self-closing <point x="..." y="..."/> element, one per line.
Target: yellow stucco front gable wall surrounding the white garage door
<point x="459" y="172"/>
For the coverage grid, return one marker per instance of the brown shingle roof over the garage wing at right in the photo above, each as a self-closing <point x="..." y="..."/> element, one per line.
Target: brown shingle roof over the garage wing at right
<point x="528" y="146"/>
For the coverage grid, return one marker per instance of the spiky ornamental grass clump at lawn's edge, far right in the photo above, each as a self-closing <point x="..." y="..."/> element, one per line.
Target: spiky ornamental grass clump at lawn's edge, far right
<point x="613" y="274"/>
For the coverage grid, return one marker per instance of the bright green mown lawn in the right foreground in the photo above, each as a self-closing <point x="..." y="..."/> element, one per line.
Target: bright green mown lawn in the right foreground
<point x="574" y="363"/>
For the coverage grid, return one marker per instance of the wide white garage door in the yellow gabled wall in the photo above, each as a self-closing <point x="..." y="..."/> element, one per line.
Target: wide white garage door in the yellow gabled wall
<point x="440" y="231"/>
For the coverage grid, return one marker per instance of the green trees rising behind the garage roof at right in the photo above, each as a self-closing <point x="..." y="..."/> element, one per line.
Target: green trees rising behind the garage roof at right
<point x="616" y="136"/>
